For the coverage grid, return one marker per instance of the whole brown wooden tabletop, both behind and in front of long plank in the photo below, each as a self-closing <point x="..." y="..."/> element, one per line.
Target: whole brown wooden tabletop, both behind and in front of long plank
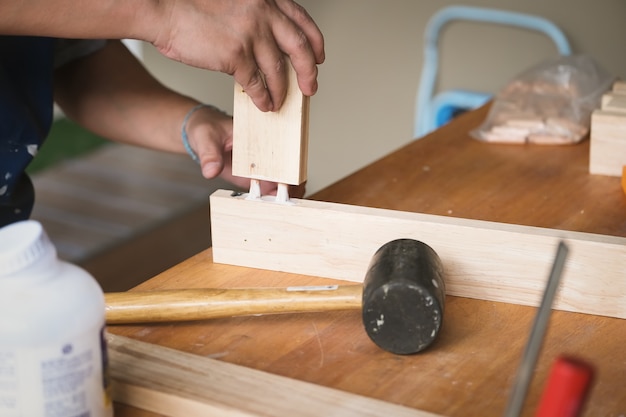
<point x="469" y="370"/>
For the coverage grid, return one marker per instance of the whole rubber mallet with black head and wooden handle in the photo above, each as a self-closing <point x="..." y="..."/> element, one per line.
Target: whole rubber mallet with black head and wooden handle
<point x="402" y="299"/>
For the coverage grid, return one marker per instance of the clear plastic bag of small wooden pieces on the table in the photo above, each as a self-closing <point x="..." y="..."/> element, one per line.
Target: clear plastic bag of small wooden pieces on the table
<point x="550" y="103"/>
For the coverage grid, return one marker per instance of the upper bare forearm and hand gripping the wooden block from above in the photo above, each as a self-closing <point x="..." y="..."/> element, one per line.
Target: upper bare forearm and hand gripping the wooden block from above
<point x="248" y="39"/>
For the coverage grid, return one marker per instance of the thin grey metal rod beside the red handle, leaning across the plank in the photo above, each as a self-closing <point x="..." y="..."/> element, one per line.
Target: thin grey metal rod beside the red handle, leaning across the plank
<point x="529" y="358"/>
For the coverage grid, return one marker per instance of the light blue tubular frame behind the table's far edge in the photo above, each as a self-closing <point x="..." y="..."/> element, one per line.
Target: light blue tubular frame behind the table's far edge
<point x="432" y="112"/>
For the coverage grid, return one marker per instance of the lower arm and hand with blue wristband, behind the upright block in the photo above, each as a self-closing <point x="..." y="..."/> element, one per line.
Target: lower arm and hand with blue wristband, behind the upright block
<point x="110" y="93"/>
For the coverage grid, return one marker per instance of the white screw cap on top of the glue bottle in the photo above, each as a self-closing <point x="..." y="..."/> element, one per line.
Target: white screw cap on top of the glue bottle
<point x="22" y="244"/>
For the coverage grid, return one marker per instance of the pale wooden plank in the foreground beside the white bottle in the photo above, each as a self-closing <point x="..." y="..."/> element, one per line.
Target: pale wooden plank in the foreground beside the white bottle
<point x="178" y="384"/>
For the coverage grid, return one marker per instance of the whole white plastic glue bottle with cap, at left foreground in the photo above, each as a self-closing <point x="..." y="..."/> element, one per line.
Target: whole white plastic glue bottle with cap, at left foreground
<point x="53" y="358"/>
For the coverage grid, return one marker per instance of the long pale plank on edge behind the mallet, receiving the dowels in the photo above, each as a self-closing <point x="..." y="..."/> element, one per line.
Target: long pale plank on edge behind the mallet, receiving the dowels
<point x="484" y="260"/>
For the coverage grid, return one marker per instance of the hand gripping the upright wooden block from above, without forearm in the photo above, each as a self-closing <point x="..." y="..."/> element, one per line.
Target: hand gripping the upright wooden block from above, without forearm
<point x="248" y="39"/>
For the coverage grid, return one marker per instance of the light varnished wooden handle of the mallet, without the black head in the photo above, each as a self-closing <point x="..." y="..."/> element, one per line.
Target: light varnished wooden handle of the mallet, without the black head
<point x="202" y="304"/>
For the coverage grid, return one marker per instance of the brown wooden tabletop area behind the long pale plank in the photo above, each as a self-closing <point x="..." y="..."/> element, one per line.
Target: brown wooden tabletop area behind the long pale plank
<point x="451" y="174"/>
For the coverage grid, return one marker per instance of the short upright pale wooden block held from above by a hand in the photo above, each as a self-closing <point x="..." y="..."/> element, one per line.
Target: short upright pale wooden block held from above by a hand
<point x="271" y="146"/>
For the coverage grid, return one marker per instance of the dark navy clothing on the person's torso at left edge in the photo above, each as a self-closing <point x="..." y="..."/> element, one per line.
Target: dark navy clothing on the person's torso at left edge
<point x="26" y="110"/>
